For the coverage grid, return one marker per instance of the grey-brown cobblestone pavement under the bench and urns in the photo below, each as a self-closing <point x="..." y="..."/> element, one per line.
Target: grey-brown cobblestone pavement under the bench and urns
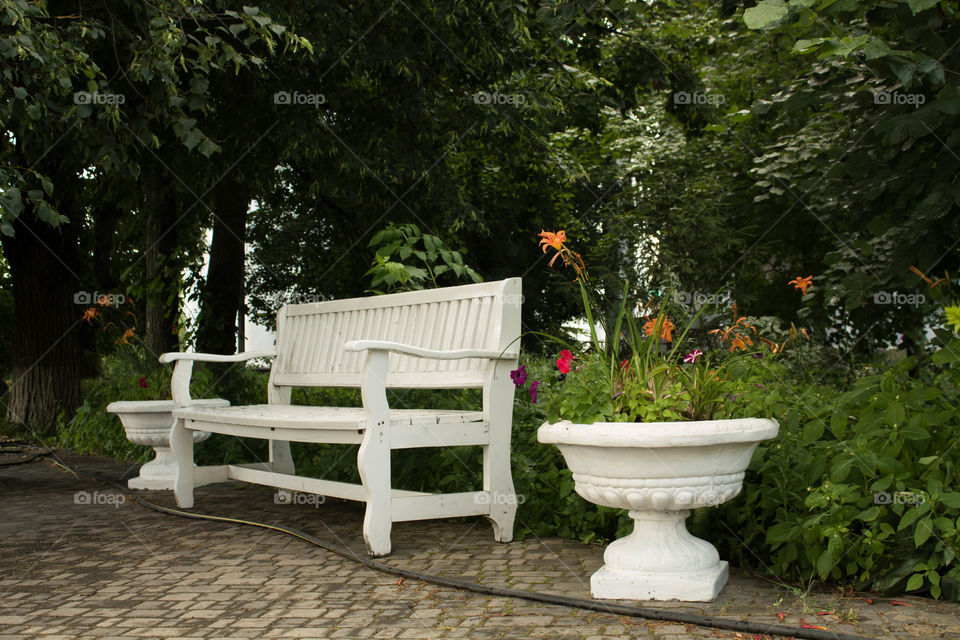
<point x="97" y="565"/>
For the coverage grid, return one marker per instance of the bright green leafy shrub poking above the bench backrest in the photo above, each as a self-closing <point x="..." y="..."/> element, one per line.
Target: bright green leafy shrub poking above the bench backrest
<point x="392" y="270"/>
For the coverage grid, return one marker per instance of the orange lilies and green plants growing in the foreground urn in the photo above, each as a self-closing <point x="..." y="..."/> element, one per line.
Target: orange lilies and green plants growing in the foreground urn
<point x="655" y="381"/>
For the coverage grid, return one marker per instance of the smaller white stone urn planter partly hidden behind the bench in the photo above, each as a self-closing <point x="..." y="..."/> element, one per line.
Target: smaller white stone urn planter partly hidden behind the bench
<point x="148" y="422"/>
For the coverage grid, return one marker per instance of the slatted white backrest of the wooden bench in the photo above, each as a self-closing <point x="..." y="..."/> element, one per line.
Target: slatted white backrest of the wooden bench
<point x="486" y="316"/>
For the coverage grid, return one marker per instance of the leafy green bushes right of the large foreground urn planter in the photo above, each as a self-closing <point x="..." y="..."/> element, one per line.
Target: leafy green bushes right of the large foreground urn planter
<point x="860" y="486"/>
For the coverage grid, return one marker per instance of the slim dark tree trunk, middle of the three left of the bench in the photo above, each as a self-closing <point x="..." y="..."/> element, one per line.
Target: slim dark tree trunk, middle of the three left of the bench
<point x="162" y="271"/>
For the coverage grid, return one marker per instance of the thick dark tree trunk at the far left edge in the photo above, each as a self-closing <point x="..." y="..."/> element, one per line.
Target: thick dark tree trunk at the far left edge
<point x="46" y="354"/>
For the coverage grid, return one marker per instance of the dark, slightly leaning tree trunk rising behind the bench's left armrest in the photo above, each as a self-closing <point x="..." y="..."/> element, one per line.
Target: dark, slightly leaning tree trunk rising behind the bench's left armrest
<point x="222" y="296"/>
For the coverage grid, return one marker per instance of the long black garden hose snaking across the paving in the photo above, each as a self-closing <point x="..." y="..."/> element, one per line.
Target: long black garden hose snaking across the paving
<point x="453" y="583"/>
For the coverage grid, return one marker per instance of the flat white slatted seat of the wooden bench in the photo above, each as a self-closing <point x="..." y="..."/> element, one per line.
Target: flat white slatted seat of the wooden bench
<point x="307" y="417"/>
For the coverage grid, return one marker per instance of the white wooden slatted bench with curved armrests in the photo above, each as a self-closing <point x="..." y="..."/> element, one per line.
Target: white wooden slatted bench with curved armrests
<point x="449" y="338"/>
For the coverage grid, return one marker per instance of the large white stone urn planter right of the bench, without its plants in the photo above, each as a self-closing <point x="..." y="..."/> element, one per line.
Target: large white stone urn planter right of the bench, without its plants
<point x="659" y="472"/>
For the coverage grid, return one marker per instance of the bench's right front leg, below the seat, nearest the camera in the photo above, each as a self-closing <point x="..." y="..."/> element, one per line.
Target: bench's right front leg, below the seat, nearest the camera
<point x="373" y="461"/>
